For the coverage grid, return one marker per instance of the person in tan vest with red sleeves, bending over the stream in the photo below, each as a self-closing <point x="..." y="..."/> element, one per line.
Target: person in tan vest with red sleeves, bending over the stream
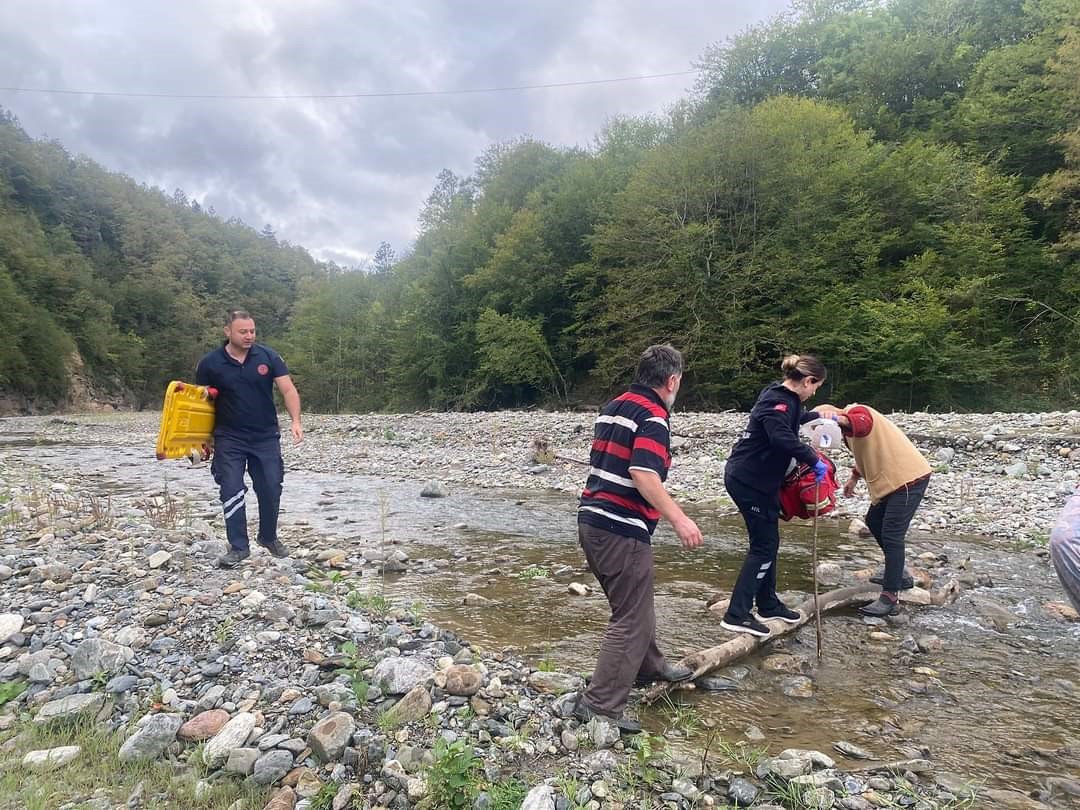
<point x="898" y="477"/>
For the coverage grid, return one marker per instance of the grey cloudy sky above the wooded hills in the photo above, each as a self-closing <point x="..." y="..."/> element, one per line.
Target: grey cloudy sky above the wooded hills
<point x="339" y="177"/>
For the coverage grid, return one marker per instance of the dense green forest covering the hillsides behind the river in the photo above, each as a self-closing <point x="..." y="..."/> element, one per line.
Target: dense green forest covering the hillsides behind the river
<point x="894" y="185"/>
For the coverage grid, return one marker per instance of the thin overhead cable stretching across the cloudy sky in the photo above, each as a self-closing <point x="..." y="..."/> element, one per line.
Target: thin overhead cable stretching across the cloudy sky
<point x="337" y="97"/>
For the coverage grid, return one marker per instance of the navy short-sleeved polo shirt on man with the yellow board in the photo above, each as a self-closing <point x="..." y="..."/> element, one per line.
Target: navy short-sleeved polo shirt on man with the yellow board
<point x="245" y="404"/>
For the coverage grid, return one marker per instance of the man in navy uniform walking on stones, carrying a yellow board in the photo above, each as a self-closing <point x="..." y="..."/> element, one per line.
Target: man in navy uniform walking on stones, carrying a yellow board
<point x="246" y="431"/>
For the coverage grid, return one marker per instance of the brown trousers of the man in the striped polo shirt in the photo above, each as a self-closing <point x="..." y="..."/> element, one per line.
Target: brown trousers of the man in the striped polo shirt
<point x="624" y="566"/>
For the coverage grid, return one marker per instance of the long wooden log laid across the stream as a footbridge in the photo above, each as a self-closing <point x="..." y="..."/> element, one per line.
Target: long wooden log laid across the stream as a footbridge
<point x="709" y="660"/>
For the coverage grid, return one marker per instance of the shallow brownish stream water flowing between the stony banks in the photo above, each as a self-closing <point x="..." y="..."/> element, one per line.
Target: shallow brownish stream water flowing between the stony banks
<point x="979" y="705"/>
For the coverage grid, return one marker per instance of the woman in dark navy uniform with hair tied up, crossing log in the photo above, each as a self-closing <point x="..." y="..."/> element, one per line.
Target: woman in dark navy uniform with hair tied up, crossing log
<point x="753" y="478"/>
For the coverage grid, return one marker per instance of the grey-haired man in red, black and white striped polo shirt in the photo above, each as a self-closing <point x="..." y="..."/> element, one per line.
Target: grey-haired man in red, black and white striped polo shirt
<point x="624" y="501"/>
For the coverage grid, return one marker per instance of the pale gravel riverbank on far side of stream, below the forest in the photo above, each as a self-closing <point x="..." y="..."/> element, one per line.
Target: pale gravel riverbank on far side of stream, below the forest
<point x="995" y="475"/>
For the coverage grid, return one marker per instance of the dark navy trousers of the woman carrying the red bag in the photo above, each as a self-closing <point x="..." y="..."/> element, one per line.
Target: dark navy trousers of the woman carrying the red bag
<point x="758" y="579"/>
